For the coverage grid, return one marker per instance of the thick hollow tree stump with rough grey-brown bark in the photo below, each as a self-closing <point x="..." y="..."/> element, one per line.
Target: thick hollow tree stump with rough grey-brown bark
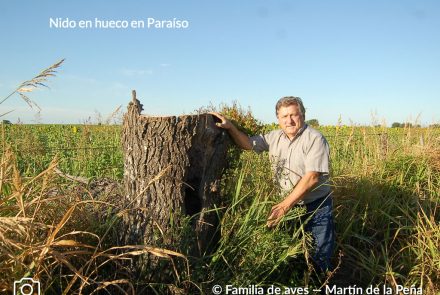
<point x="172" y="172"/>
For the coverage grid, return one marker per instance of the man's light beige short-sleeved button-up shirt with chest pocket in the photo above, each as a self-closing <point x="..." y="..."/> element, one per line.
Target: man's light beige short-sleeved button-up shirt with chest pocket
<point x="292" y="159"/>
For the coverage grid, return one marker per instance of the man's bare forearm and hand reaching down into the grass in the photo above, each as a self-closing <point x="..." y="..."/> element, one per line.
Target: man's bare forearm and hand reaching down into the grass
<point x="306" y="184"/>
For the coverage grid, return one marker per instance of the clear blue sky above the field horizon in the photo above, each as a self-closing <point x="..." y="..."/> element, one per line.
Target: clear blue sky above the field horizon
<point x="354" y="59"/>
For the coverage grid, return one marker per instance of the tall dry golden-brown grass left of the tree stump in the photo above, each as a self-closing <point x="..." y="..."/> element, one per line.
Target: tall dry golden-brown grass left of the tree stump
<point x="48" y="232"/>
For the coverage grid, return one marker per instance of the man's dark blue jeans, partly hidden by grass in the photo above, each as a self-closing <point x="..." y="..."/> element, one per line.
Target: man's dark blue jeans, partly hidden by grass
<point x="322" y="228"/>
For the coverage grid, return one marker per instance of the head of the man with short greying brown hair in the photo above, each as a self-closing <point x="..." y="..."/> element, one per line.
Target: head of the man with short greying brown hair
<point x="290" y="112"/>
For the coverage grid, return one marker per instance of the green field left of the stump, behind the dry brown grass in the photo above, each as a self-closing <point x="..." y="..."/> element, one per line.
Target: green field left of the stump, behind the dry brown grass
<point x="83" y="150"/>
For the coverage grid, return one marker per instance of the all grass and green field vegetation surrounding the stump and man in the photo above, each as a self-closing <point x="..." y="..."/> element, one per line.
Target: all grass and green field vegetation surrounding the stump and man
<point x="387" y="209"/>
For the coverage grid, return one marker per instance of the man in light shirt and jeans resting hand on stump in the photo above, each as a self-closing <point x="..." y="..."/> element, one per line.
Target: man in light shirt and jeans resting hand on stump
<point x="300" y="160"/>
